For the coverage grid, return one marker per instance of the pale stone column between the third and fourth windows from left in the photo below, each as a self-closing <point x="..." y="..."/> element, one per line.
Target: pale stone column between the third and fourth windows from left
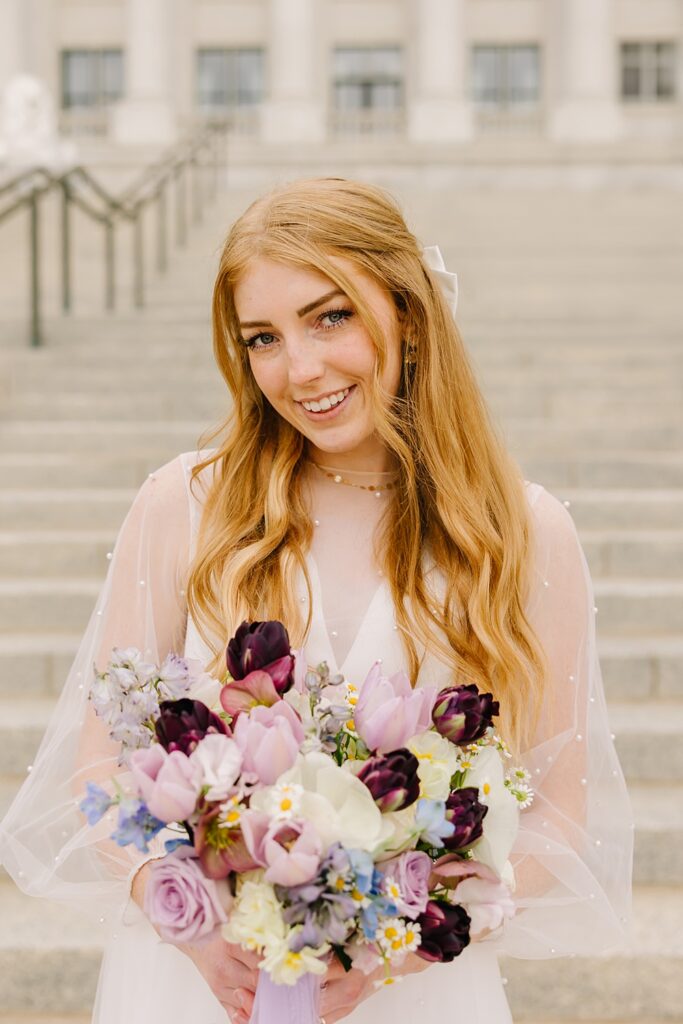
<point x="439" y="110"/>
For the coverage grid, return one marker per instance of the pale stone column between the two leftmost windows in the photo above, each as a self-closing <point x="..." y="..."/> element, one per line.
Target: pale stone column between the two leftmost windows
<point x="146" y="115"/>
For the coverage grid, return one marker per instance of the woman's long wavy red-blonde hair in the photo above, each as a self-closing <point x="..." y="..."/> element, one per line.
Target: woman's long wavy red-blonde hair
<point x="460" y="494"/>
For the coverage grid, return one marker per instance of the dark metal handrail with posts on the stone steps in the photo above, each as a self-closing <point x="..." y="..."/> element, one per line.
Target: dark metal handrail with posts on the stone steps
<point x="81" y="191"/>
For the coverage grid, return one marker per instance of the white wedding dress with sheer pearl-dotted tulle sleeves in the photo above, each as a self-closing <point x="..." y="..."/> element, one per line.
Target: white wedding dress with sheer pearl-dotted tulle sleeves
<point x="573" y="856"/>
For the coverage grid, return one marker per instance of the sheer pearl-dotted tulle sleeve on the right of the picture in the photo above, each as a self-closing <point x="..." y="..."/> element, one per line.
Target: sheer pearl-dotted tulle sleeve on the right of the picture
<point x="573" y="859"/>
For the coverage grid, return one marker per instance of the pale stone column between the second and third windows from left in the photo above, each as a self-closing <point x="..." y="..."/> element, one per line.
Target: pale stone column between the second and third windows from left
<point x="294" y="111"/>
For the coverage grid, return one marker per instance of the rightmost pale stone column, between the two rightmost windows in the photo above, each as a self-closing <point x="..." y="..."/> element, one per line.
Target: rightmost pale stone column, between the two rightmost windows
<point x="586" y="101"/>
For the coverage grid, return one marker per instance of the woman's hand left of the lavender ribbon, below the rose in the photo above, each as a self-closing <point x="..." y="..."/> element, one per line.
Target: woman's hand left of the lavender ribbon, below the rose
<point x="231" y="973"/>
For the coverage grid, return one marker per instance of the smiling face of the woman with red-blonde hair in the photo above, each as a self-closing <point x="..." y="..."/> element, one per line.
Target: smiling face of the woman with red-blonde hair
<point x="314" y="359"/>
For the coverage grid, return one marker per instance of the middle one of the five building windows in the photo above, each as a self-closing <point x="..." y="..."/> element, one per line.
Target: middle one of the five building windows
<point x="368" y="79"/>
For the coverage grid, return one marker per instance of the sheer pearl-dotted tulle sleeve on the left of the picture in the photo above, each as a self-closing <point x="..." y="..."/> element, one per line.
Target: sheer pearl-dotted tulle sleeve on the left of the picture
<point x="46" y="844"/>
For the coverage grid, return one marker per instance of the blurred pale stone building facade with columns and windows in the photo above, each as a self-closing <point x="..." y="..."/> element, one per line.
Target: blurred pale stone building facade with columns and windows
<point x="397" y="74"/>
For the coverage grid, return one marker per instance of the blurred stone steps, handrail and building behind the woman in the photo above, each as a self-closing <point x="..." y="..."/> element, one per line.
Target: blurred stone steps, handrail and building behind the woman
<point x="540" y="145"/>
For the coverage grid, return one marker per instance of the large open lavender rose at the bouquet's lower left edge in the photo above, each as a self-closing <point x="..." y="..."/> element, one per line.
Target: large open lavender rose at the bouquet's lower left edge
<point x="181" y="902"/>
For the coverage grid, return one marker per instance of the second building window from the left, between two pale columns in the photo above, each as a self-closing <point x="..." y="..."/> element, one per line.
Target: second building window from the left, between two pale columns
<point x="230" y="78"/>
